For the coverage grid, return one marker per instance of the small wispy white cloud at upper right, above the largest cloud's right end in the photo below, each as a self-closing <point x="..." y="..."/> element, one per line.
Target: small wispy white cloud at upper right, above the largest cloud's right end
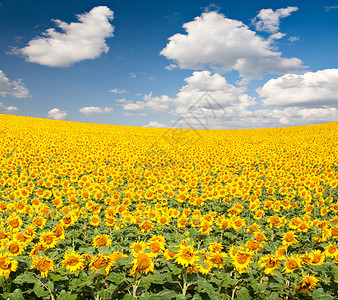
<point x="269" y="20"/>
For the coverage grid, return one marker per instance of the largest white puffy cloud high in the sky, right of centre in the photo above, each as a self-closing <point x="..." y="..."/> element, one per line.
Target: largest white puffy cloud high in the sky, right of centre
<point x="213" y="40"/>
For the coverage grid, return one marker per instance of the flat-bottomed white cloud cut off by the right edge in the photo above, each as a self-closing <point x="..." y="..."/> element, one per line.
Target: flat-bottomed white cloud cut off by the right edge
<point x="311" y="89"/>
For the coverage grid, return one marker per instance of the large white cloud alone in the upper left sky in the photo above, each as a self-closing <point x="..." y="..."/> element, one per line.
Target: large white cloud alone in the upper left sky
<point x="77" y="41"/>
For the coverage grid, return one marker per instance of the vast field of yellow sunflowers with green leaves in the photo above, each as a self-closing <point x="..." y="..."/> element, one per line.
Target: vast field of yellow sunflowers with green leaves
<point x="92" y="211"/>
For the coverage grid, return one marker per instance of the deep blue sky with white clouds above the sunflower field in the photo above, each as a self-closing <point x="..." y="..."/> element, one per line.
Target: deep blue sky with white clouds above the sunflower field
<point x="220" y="64"/>
